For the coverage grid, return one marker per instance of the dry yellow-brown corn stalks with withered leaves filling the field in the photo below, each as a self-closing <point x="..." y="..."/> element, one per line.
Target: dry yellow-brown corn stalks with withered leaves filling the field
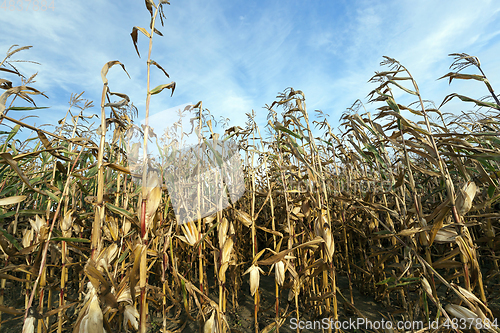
<point x="402" y="205"/>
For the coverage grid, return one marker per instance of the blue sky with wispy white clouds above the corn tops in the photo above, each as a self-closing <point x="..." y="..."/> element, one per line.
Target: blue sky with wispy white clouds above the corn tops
<point x="236" y="56"/>
